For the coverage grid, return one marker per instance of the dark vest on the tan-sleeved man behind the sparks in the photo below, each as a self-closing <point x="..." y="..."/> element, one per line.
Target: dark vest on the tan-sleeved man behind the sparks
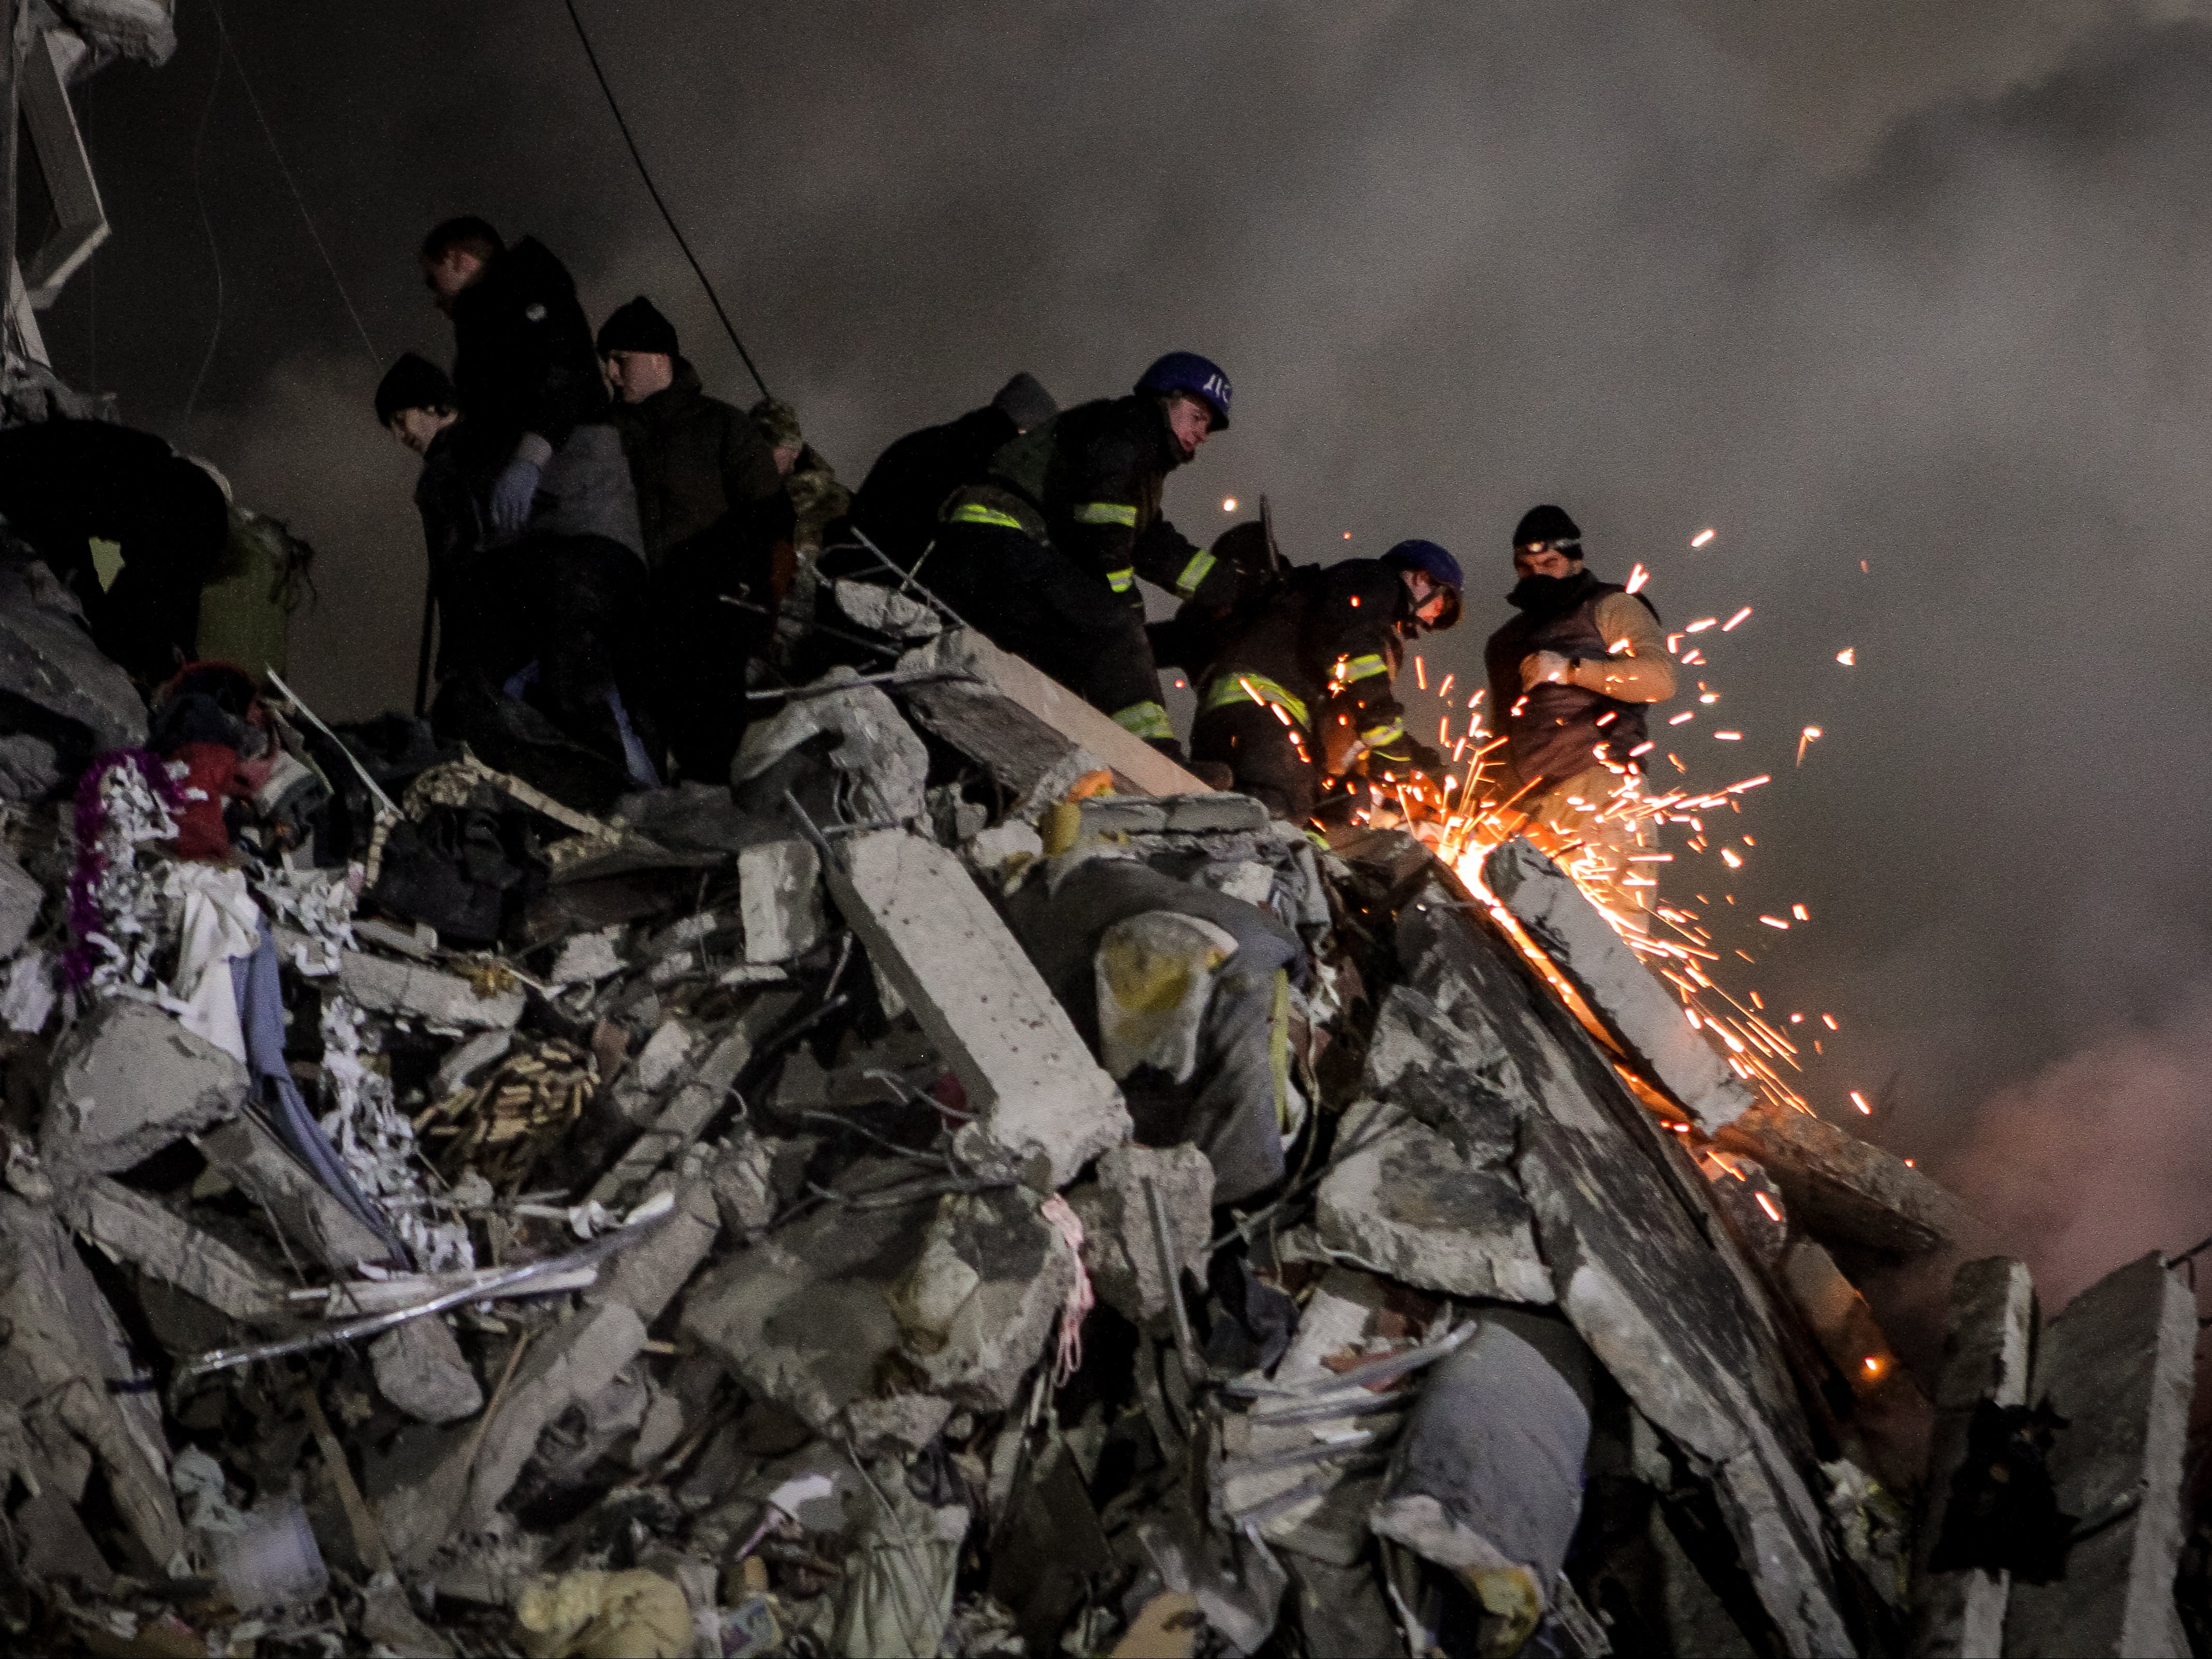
<point x="1554" y="731"/>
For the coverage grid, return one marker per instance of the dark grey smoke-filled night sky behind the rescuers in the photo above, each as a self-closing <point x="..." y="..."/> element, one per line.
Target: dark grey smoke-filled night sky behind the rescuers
<point x="1897" y="284"/>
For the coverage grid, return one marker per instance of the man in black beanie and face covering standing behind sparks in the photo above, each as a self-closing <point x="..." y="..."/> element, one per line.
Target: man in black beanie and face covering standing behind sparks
<point x="1572" y="678"/>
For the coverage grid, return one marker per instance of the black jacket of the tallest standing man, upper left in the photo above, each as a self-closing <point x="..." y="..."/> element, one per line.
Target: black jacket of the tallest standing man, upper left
<point x="523" y="355"/>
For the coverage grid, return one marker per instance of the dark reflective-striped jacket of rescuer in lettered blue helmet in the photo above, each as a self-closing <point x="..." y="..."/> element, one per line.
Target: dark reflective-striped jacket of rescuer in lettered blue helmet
<point x="1096" y="474"/>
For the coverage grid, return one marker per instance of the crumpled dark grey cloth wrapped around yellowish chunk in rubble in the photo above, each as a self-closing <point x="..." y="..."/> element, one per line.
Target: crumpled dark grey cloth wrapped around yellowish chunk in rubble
<point x="1233" y="1100"/>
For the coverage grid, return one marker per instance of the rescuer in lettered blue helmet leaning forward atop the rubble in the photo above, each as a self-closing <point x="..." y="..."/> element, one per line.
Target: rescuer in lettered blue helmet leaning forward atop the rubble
<point x="1045" y="554"/>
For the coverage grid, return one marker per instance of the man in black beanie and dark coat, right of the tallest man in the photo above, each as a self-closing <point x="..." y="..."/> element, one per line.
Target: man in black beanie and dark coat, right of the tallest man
<point x="718" y="534"/>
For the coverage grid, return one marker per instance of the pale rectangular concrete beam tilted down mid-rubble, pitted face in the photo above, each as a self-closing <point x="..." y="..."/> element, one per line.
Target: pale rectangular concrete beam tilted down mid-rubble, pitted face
<point x="1039" y="1096"/>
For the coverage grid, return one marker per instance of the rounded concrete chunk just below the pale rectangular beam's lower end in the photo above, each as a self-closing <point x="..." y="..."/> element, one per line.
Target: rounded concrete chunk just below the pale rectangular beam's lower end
<point x="981" y="1300"/>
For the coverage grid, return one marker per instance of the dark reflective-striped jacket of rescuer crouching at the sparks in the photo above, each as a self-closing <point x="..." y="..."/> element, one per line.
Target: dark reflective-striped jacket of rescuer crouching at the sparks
<point x="1324" y="643"/>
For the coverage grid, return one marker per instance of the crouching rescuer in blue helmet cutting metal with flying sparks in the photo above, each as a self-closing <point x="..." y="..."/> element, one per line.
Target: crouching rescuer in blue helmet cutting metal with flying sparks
<point x="1306" y="680"/>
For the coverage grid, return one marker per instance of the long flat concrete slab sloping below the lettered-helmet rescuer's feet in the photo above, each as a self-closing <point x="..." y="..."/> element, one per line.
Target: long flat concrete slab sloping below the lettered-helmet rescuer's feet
<point x="1138" y="769"/>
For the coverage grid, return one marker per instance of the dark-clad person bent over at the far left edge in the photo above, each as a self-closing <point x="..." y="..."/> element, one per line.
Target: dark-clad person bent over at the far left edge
<point x="127" y="525"/>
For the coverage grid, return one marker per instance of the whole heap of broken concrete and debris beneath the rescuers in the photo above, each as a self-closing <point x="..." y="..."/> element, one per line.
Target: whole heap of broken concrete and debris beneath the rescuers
<point x="959" y="1189"/>
